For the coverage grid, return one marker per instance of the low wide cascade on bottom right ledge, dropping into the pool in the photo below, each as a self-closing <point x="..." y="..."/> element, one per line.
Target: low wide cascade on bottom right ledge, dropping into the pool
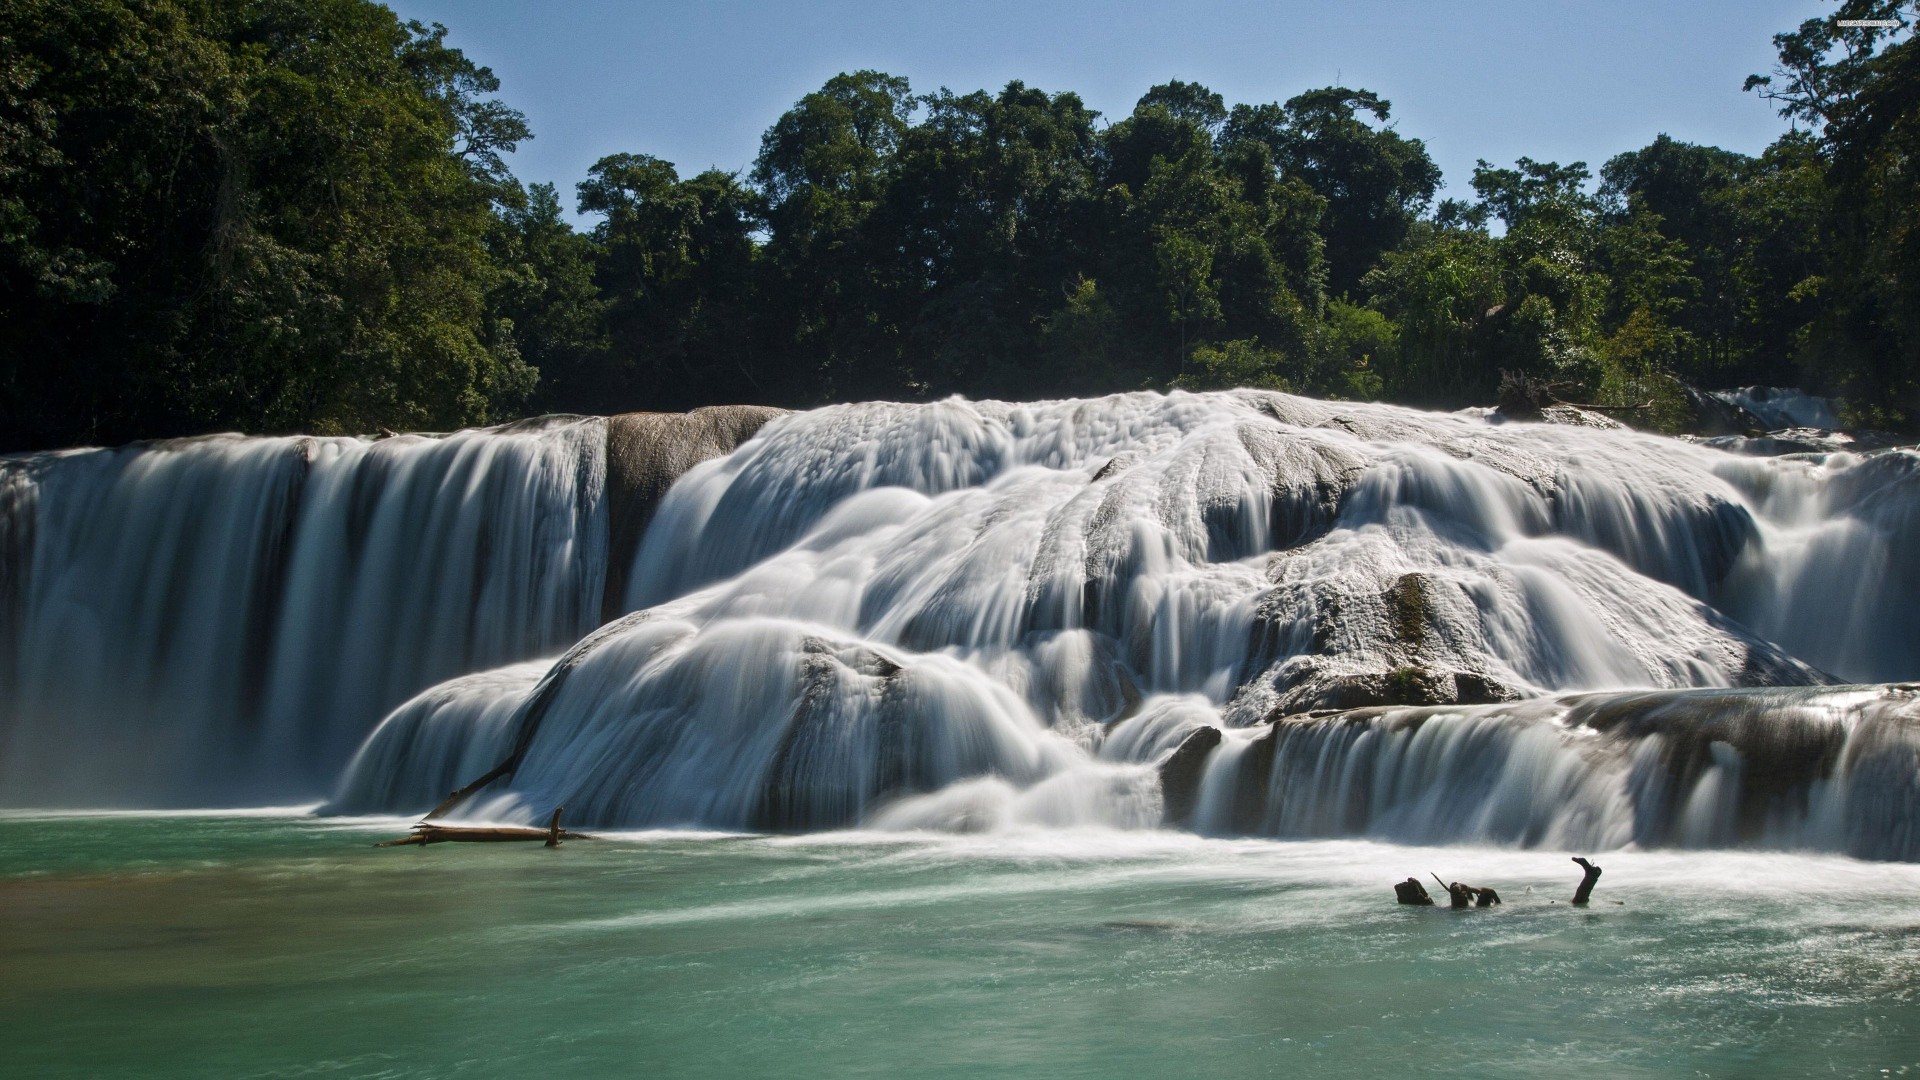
<point x="1798" y="770"/>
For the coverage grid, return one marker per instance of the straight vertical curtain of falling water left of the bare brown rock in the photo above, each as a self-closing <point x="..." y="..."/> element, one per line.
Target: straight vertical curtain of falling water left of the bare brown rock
<point x="222" y="620"/>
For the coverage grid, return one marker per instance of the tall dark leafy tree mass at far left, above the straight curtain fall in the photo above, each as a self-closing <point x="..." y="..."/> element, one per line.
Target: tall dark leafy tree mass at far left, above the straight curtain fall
<point x="266" y="216"/>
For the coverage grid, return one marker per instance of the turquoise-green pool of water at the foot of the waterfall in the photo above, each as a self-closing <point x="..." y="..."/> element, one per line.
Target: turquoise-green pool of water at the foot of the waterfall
<point x="276" y="945"/>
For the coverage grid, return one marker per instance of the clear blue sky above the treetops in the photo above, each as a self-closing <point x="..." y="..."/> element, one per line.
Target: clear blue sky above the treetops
<point x="696" y="84"/>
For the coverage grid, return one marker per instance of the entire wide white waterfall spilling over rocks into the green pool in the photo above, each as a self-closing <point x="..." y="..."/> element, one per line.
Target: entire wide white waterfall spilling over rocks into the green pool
<point x="972" y="616"/>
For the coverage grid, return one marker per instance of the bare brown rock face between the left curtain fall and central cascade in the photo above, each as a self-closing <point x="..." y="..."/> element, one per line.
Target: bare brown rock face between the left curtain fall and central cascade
<point x="646" y="454"/>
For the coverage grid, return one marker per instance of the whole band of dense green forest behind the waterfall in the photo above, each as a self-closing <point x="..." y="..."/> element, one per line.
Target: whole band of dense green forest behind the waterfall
<point x="299" y="216"/>
